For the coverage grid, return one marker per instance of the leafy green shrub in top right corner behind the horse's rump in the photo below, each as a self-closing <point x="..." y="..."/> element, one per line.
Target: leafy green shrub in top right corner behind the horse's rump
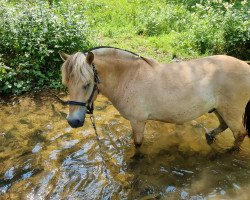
<point x="222" y="27"/>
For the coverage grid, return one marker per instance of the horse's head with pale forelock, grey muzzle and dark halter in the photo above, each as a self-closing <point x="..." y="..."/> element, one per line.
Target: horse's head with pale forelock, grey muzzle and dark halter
<point x="78" y="76"/>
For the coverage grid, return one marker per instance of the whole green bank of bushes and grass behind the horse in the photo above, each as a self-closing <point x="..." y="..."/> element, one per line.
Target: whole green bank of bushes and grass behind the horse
<point x="32" y="32"/>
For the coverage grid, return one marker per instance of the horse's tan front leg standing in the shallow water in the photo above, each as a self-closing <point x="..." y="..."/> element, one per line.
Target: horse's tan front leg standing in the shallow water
<point x="138" y="128"/>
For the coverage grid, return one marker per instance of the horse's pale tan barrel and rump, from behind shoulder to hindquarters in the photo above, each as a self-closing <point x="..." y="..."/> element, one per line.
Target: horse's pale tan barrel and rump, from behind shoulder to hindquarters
<point x="197" y="85"/>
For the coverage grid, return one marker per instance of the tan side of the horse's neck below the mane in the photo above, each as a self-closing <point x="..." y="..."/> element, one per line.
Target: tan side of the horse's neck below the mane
<point x="113" y="73"/>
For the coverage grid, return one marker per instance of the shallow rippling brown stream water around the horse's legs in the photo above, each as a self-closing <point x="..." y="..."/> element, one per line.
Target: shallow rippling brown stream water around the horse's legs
<point x="41" y="157"/>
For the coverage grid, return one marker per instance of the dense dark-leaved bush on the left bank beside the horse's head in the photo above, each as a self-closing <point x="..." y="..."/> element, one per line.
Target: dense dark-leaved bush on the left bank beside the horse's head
<point x="31" y="35"/>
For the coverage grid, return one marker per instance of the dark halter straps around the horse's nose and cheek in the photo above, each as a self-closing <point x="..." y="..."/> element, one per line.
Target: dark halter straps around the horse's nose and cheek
<point x="90" y="107"/>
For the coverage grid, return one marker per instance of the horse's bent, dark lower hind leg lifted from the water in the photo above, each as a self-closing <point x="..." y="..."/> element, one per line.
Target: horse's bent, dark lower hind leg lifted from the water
<point x="210" y="136"/>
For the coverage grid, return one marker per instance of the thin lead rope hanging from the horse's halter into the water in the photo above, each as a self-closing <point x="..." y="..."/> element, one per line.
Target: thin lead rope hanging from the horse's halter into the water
<point x="92" y="118"/>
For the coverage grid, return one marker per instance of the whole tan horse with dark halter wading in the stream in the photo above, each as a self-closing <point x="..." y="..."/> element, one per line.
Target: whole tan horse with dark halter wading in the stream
<point x="142" y="89"/>
